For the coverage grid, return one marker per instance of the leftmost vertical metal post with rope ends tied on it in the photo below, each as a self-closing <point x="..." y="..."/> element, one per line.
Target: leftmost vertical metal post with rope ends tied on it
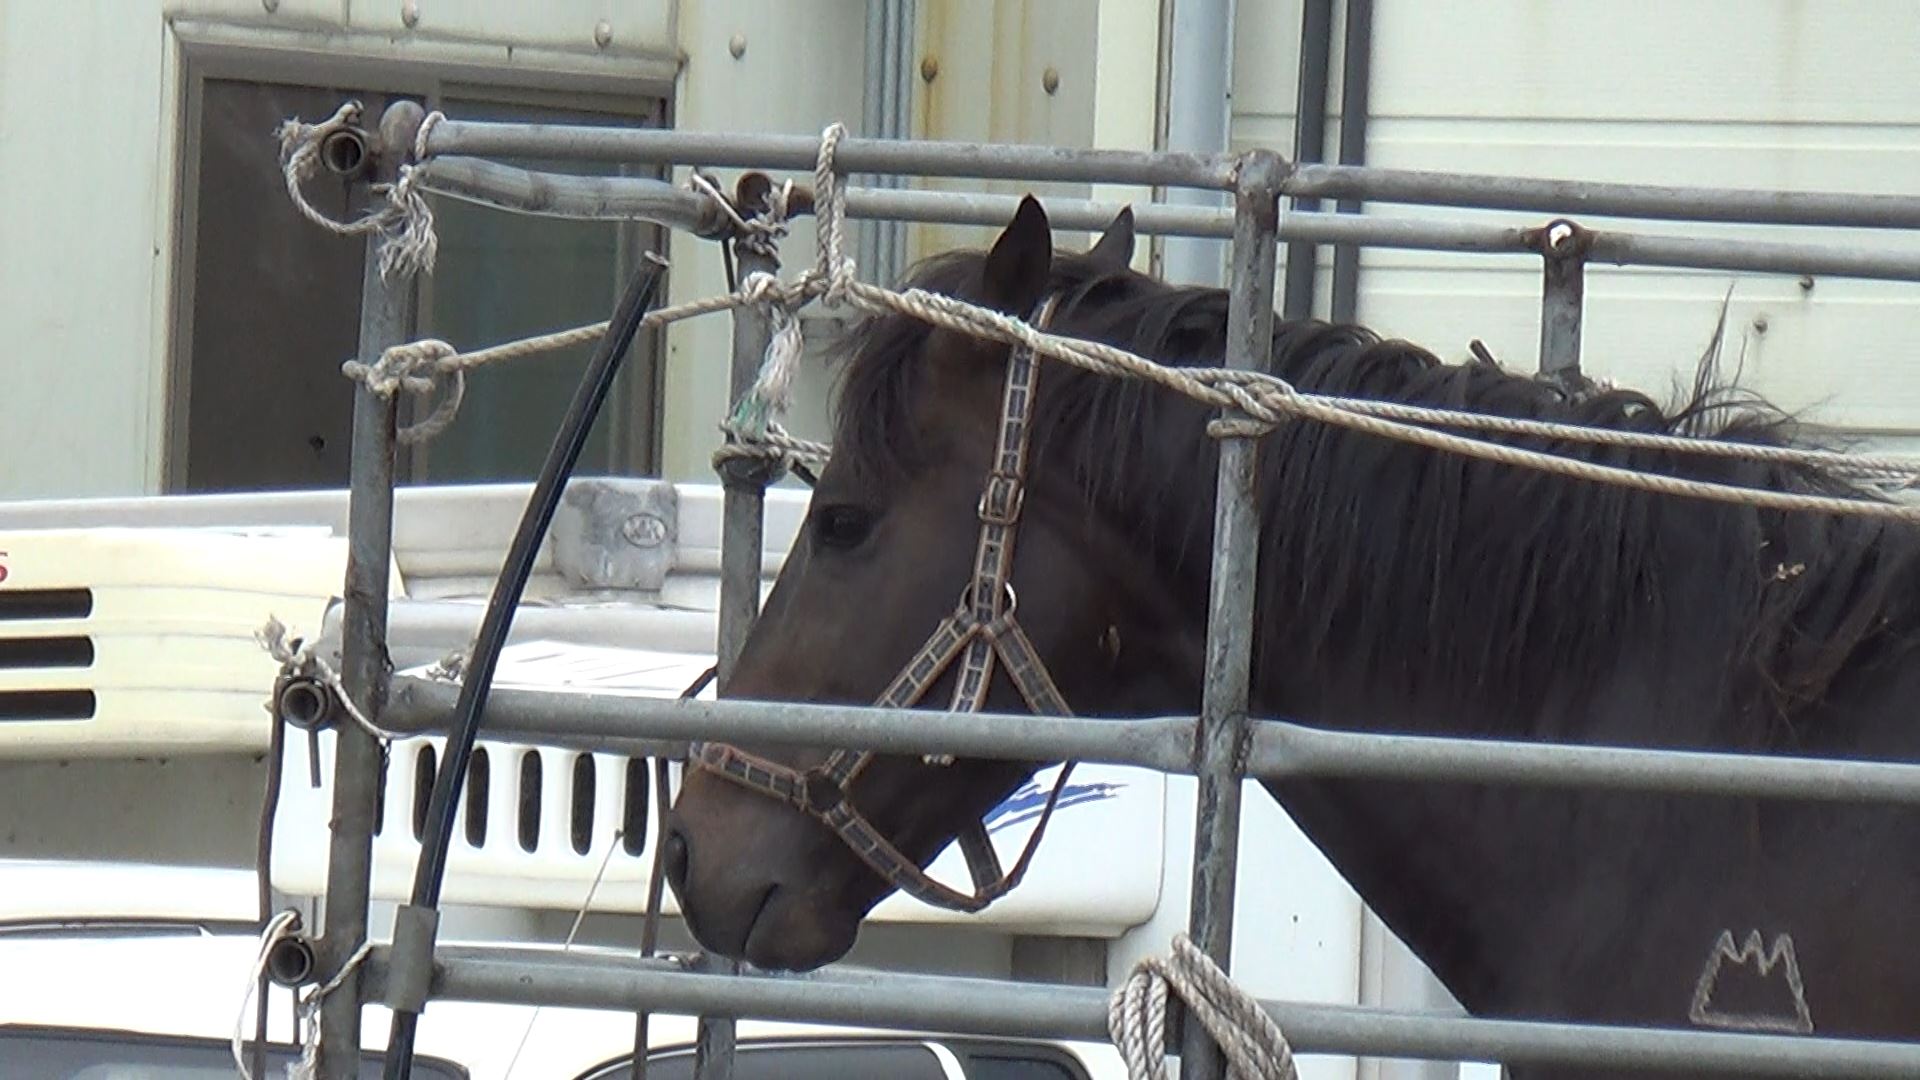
<point x="387" y="320"/>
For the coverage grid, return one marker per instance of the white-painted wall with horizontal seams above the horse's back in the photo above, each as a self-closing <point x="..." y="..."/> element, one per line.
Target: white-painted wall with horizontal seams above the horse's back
<point x="1729" y="93"/>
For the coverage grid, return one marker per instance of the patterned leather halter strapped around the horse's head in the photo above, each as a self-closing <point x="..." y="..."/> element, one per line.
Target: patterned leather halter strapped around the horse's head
<point x="980" y="631"/>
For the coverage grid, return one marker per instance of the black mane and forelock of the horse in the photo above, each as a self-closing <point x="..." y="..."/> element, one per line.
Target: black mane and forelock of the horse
<point x="1429" y="576"/>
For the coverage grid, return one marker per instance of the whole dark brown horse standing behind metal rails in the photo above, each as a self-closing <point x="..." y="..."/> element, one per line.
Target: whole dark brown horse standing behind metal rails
<point x="1401" y="591"/>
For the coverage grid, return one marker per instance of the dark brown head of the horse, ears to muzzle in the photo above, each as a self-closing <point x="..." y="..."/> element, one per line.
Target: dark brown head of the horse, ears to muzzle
<point x="938" y="566"/>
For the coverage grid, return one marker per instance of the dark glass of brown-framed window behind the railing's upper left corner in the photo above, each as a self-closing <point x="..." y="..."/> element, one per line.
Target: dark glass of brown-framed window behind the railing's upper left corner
<point x="272" y="305"/>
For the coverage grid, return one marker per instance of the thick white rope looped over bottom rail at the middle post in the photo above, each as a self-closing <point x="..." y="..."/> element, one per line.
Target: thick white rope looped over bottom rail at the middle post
<point x="1138" y="1018"/>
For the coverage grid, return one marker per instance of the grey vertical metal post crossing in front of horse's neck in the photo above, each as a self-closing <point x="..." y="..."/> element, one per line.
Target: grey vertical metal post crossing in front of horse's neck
<point x="1220" y="747"/>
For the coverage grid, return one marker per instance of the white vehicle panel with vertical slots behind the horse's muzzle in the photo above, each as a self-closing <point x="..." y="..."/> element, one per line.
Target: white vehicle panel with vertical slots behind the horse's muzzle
<point x="1078" y="883"/>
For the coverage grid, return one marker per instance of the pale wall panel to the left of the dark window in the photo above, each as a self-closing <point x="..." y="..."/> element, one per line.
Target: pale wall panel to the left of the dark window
<point x="84" y="247"/>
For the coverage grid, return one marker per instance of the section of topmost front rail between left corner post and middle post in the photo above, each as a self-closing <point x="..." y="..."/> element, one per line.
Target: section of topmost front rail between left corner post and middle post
<point x="921" y="159"/>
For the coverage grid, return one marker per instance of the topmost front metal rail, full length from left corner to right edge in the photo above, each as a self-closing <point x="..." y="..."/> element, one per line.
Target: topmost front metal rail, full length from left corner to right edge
<point x="1053" y="164"/>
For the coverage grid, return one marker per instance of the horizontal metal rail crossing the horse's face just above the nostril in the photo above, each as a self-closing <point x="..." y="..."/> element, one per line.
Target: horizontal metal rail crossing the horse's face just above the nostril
<point x="1280" y="749"/>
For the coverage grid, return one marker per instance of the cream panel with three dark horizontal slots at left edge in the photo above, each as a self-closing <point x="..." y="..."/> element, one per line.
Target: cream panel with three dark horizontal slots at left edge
<point x="170" y="622"/>
